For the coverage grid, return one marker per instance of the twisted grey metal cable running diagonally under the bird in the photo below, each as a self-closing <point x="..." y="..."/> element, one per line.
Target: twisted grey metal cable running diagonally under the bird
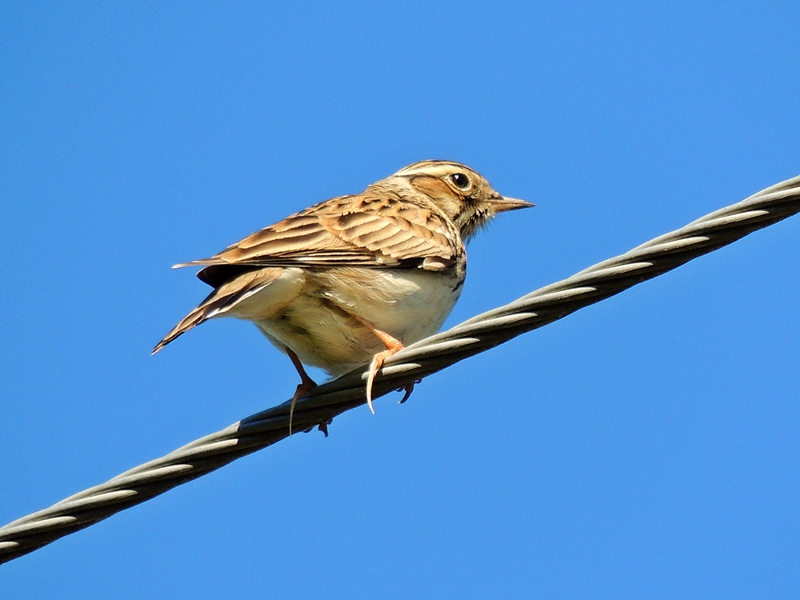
<point x="427" y="356"/>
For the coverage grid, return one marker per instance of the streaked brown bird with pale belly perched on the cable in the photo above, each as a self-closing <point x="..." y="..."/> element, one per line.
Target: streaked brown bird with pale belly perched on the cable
<point x="352" y="280"/>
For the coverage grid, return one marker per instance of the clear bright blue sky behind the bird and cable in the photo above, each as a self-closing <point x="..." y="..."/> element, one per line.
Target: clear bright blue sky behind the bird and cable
<point x="644" y="447"/>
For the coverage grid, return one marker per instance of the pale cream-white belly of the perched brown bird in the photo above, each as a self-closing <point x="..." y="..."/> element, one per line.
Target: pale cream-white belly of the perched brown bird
<point x="318" y="324"/>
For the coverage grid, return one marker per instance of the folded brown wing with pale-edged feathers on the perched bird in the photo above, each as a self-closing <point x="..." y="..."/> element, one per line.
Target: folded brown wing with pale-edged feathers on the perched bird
<point x="368" y="230"/>
